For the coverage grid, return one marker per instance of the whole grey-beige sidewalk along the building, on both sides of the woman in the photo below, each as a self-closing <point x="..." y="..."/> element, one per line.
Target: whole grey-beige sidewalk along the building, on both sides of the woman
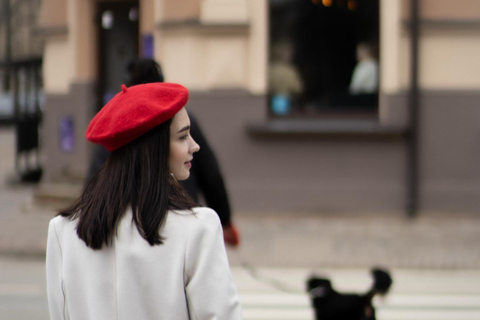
<point x="349" y="240"/>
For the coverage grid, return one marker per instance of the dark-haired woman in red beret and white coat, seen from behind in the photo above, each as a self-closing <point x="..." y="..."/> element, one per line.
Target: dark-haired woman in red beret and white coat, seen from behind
<point x="134" y="246"/>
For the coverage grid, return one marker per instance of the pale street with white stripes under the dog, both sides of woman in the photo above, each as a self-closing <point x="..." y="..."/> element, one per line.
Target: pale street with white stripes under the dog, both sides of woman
<point x="278" y="293"/>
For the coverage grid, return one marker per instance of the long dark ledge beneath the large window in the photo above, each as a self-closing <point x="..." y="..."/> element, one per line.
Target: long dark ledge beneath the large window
<point x="349" y="129"/>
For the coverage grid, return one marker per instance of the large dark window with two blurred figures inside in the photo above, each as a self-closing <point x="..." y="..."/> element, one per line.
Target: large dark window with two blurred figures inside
<point x="323" y="57"/>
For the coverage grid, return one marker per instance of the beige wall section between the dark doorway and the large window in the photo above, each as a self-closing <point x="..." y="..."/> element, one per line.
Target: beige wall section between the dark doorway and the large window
<point x="216" y="53"/>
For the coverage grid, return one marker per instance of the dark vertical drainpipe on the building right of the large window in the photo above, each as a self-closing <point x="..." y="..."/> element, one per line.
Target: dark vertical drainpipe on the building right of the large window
<point x="413" y="154"/>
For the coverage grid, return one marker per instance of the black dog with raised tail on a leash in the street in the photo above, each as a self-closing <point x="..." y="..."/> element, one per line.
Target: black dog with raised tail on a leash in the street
<point x="332" y="305"/>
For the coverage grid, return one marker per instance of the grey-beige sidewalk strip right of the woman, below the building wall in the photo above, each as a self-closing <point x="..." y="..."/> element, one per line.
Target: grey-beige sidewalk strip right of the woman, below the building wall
<point x="348" y="241"/>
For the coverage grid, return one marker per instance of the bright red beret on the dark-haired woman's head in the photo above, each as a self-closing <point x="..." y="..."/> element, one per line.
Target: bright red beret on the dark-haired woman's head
<point x="134" y="111"/>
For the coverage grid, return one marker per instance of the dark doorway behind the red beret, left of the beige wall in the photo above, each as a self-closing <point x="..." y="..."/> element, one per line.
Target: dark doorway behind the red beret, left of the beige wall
<point x="118" y="25"/>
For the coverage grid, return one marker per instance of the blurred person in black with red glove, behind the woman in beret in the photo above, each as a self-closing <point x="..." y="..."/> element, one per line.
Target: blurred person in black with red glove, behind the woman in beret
<point x="205" y="178"/>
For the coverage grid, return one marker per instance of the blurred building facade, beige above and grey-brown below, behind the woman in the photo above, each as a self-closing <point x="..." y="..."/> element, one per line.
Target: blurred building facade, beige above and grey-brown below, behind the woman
<point x="327" y="157"/>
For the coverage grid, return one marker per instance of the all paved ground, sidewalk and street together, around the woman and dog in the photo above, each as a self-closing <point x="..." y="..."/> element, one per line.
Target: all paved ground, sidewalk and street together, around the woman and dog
<point x="434" y="259"/>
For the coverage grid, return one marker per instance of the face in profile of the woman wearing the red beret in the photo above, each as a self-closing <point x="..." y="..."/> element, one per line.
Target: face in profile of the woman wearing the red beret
<point x="182" y="146"/>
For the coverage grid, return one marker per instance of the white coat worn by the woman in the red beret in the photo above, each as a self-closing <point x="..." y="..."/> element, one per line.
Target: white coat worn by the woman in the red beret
<point x="187" y="277"/>
